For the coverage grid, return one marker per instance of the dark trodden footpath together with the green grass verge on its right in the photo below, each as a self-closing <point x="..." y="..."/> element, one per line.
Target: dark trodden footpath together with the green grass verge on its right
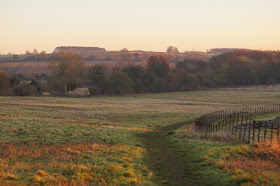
<point x="177" y="161"/>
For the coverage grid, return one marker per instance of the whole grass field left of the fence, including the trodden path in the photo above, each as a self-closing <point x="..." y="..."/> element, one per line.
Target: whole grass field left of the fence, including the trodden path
<point x="133" y="139"/>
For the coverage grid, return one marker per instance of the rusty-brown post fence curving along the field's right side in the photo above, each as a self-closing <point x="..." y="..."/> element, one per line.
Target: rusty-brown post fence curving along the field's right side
<point x="239" y="123"/>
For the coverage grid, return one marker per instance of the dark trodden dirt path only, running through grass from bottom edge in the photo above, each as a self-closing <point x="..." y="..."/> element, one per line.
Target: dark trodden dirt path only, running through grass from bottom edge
<point x="172" y="163"/>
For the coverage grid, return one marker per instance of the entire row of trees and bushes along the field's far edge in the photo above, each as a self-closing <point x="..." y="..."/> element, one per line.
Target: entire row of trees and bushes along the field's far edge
<point x="238" y="68"/>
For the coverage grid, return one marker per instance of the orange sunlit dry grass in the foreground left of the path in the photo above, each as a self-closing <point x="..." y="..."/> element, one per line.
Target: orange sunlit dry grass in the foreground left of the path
<point x="90" y="163"/>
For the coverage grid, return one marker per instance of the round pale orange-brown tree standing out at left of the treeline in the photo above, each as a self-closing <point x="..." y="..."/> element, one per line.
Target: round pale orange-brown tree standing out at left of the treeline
<point x="68" y="68"/>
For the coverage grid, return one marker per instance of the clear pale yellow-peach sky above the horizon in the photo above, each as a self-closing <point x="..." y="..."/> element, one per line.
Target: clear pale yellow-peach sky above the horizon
<point x="150" y="25"/>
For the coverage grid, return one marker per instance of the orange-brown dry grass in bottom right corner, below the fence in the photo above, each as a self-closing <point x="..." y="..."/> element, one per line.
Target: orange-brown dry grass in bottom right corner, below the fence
<point x="257" y="164"/>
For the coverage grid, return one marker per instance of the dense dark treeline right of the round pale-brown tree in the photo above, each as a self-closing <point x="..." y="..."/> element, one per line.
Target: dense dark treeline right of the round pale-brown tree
<point x="238" y="68"/>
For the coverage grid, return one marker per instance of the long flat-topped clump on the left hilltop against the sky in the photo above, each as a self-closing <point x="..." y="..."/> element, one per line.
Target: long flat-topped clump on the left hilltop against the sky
<point x="81" y="50"/>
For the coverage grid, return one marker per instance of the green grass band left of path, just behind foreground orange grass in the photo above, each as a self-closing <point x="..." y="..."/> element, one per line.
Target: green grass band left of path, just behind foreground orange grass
<point x="23" y="131"/>
